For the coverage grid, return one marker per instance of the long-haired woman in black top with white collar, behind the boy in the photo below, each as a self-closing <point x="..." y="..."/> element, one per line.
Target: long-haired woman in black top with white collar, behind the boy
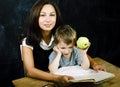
<point x="43" y="19"/>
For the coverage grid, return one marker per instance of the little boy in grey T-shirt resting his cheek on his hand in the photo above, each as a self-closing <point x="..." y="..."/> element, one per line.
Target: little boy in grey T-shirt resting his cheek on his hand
<point x="65" y="53"/>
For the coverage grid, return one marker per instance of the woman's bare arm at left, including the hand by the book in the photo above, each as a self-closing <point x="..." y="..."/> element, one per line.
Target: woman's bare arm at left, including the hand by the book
<point x="31" y="71"/>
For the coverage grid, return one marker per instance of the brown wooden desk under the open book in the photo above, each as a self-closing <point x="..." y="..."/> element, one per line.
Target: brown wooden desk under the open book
<point x="115" y="82"/>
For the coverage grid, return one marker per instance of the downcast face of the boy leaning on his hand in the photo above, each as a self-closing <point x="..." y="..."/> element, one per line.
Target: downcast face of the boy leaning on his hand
<point x="65" y="49"/>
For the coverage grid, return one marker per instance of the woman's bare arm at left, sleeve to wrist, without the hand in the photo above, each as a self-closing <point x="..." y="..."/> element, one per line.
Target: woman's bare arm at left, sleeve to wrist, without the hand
<point x="31" y="71"/>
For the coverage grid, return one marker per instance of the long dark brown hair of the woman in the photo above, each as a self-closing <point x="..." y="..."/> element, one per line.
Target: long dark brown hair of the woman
<point x="32" y="29"/>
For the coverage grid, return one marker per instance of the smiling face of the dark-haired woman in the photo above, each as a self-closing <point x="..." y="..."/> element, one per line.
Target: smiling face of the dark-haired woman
<point x="47" y="19"/>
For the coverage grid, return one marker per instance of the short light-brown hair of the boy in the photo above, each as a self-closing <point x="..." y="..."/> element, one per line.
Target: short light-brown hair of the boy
<point x="66" y="34"/>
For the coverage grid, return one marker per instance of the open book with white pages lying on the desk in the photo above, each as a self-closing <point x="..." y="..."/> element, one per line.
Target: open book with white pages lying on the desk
<point x="81" y="75"/>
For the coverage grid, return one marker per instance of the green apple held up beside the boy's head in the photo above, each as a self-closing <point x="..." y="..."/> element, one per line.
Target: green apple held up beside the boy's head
<point x="83" y="42"/>
